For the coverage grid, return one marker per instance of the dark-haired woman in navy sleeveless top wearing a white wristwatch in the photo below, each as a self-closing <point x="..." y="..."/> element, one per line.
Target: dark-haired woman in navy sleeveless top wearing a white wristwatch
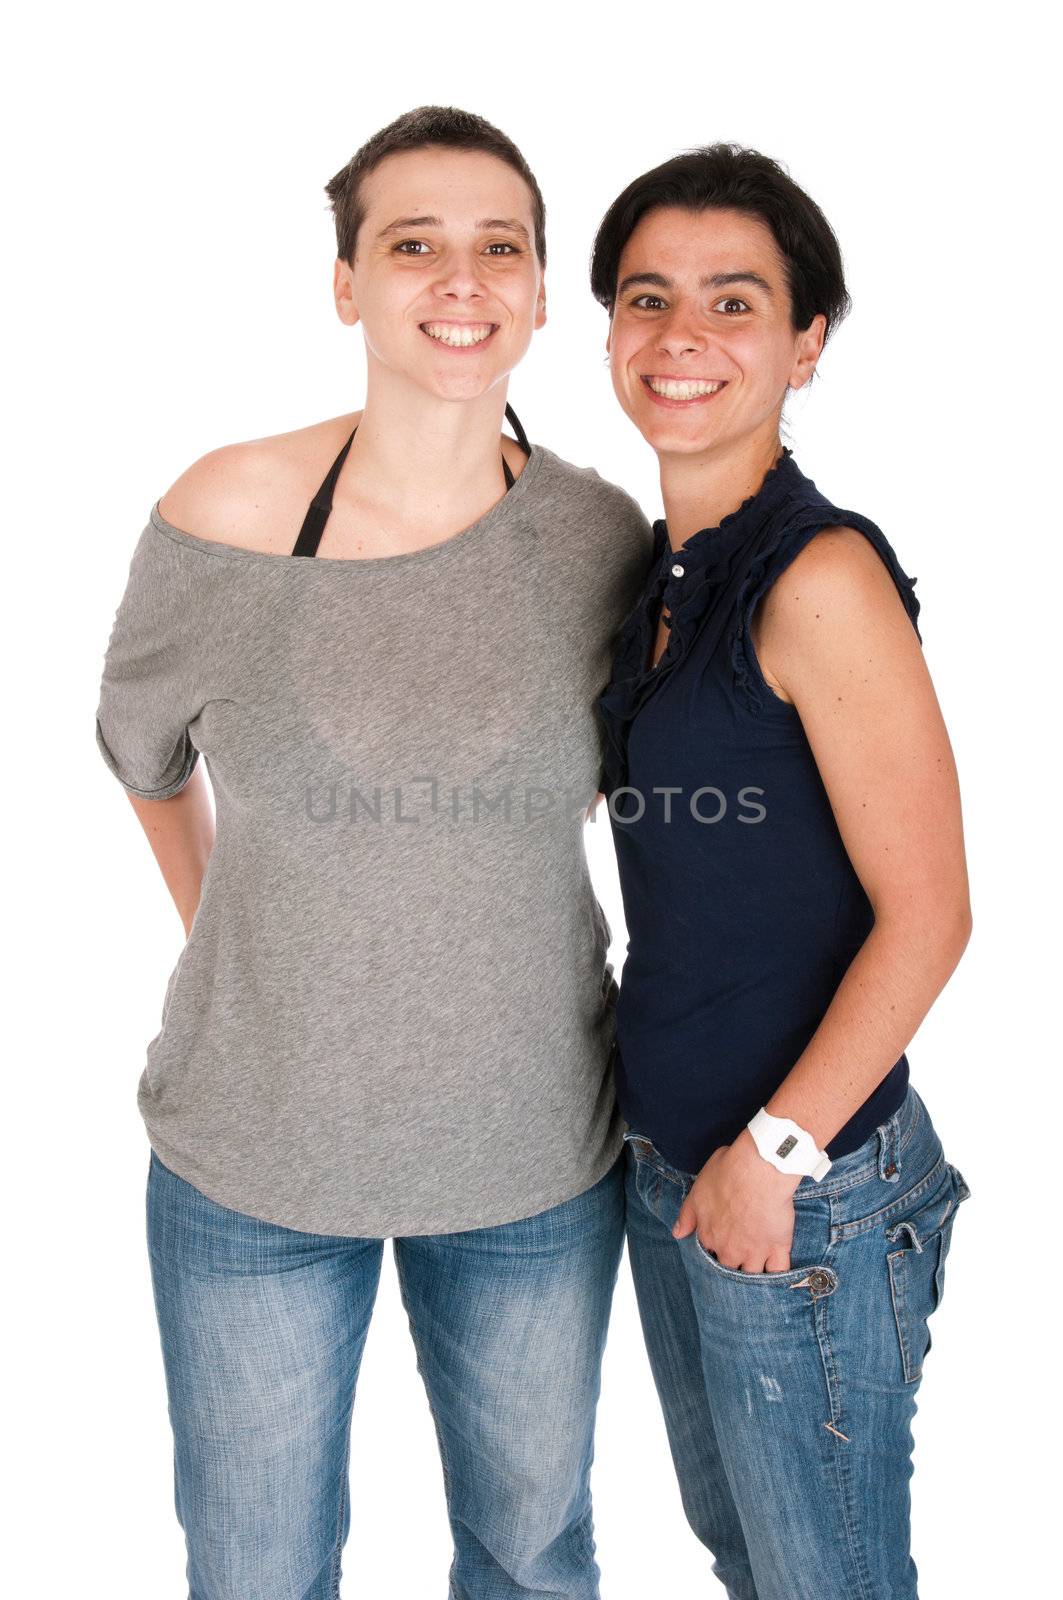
<point x="788" y="828"/>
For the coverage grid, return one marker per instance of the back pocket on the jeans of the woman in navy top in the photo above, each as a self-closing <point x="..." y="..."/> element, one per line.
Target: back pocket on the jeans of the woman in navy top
<point x="918" y="1268"/>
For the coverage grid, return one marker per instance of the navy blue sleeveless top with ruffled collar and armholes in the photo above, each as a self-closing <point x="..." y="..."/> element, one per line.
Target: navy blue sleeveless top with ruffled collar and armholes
<point x="744" y="908"/>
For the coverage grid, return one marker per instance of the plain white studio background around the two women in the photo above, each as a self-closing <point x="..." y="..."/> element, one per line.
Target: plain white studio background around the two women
<point x="169" y="271"/>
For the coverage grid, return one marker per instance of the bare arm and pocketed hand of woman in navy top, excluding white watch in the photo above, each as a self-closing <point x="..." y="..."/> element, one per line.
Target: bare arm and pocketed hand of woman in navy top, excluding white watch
<point x="836" y="641"/>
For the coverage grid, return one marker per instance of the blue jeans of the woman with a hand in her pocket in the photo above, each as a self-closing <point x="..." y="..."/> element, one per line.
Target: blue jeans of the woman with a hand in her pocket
<point x="788" y="1396"/>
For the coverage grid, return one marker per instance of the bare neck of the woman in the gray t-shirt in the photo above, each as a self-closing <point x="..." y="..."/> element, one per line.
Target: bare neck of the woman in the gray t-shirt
<point x="411" y="441"/>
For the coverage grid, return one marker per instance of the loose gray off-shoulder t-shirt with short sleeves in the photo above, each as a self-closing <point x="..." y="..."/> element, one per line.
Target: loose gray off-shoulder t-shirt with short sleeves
<point x="393" y="1012"/>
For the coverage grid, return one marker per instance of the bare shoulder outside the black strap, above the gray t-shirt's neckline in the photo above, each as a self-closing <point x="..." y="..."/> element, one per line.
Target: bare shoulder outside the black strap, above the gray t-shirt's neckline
<point x="254" y="495"/>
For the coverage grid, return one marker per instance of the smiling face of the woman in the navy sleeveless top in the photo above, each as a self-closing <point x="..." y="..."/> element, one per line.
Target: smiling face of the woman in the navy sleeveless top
<point x="702" y="346"/>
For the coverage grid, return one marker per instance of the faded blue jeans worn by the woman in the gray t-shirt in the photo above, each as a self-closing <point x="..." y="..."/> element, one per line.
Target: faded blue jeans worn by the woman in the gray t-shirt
<point x="263" y="1332"/>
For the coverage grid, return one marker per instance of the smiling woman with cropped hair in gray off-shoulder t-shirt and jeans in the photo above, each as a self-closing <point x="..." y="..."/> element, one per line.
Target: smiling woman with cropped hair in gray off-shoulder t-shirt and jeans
<point x="387" y="634"/>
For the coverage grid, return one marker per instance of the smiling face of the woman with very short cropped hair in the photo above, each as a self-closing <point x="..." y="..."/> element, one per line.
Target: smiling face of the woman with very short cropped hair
<point x="446" y="281"/>
